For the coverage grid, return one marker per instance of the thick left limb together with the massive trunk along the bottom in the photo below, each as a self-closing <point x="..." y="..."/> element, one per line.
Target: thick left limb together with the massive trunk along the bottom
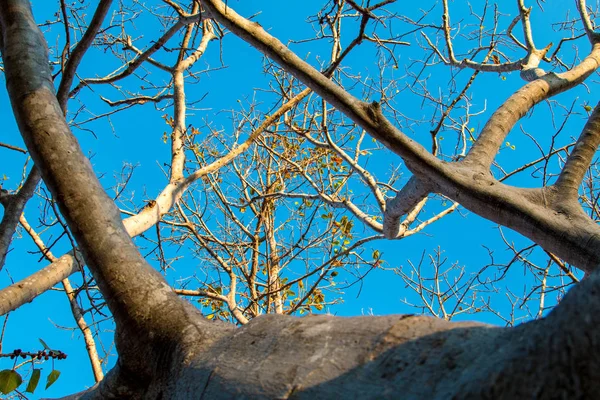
<point x="167" y="350"/>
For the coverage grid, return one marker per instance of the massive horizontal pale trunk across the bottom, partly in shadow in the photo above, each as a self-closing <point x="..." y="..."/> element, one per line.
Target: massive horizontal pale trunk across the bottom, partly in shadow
<point x="405" y="356"/>
